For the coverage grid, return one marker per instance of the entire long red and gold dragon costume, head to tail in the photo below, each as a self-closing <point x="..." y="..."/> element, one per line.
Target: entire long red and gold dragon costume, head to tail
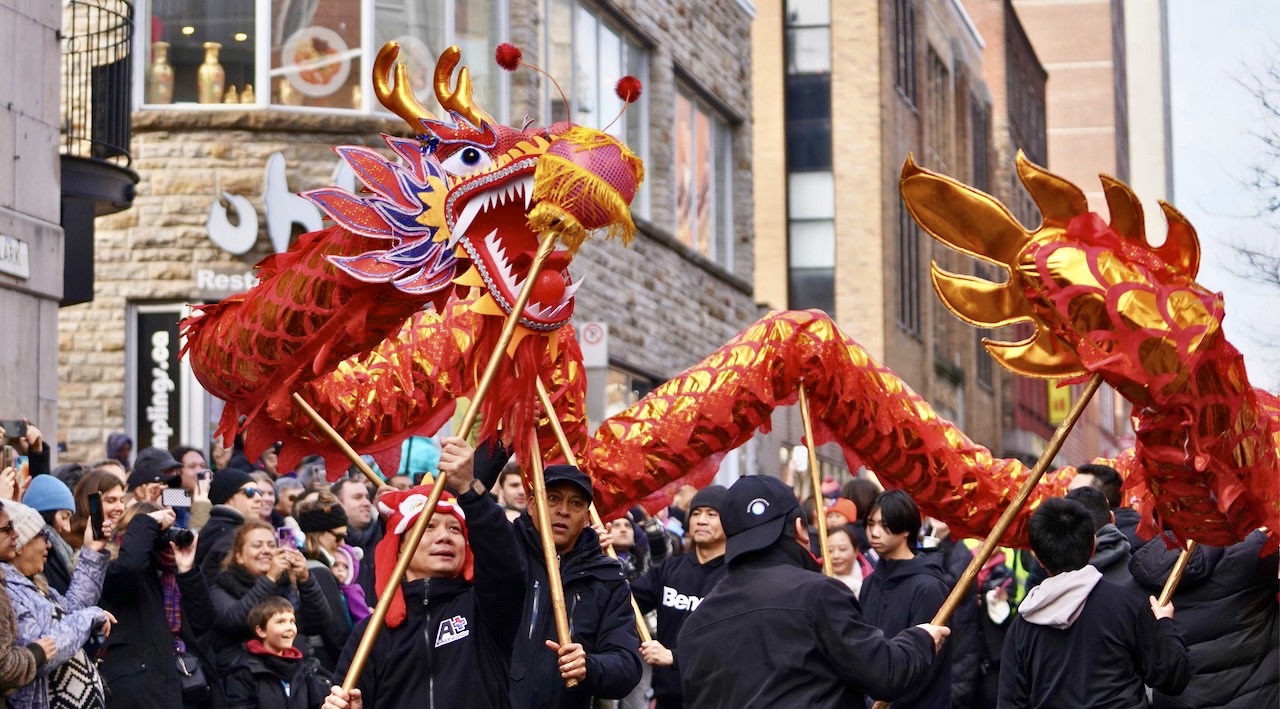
<point x="386" y="319"/>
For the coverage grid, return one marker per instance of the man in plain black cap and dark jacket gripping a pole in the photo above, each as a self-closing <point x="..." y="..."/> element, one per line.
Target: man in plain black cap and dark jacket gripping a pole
<point x="605" y="656"/>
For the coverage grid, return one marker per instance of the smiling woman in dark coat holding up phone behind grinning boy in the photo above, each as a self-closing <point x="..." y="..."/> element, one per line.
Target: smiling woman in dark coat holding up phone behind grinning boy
<point x="255" y="569"/>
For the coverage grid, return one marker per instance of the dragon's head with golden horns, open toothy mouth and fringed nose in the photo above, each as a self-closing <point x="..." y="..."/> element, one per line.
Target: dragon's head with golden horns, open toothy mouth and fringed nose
<point x="472" y="200"/>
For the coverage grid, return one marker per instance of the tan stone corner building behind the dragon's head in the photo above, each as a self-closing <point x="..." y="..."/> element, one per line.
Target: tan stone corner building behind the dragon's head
<point x="669" y="300"/>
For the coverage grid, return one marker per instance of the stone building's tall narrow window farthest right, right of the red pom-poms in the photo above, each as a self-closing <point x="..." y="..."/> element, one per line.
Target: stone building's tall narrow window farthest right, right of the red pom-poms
<point x="703" y="179"/>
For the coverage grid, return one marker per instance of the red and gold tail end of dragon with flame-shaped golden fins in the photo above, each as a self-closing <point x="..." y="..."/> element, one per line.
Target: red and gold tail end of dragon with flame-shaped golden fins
<point x="1099" y="295"/>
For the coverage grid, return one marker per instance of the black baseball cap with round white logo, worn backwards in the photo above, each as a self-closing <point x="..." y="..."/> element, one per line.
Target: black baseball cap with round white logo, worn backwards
<point x="755" y="514"/>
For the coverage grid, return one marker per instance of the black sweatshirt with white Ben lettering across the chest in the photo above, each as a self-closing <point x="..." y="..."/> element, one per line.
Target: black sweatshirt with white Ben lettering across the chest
<point x="675" y="588"/>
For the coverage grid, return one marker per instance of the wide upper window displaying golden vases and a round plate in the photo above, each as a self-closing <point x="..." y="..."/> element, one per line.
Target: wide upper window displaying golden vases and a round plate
<point x="309" y="53"/>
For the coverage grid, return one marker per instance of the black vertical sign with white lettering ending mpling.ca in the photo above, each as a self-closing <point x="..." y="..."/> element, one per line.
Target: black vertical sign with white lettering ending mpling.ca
<point x="159" y="387"/>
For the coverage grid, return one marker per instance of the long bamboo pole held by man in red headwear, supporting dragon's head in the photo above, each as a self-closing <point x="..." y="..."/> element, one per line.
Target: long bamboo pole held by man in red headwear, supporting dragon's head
<point x="469" y="419"/>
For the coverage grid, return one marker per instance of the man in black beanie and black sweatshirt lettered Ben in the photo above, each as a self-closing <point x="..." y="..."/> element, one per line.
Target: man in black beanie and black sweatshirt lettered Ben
<point x="676" y="587"/>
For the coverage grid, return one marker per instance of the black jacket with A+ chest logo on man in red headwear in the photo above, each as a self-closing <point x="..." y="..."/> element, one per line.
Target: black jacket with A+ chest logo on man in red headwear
<point x="454" y="648"/>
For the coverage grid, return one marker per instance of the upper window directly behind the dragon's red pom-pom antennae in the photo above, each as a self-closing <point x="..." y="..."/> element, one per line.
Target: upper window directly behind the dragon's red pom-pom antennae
<point x="588" y="54"/>
